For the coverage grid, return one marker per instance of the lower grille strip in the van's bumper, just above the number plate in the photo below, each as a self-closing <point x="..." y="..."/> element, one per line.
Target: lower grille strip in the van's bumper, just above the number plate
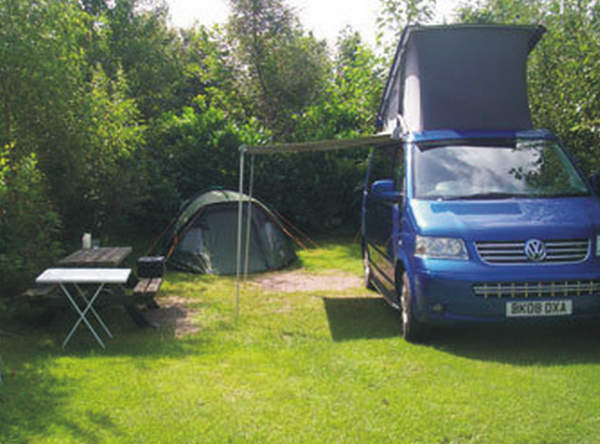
<point x="536" y="289"/>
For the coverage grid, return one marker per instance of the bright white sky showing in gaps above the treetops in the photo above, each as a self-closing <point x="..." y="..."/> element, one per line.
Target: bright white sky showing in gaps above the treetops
<point x="324" y="17"/>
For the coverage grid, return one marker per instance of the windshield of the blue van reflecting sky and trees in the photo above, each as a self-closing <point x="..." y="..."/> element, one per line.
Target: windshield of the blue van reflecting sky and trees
<point x="511" y="168"/>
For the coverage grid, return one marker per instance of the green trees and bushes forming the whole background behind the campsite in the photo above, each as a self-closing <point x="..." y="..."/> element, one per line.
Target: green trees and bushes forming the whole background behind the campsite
<point x="110" y="118"/>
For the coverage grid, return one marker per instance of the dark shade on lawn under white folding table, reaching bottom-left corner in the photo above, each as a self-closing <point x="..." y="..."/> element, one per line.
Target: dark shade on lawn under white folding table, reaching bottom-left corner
<point x="34" y="400"/>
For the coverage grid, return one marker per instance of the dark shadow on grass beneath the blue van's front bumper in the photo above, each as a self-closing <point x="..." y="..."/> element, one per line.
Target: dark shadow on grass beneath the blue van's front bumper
<point x="523" y="345"/>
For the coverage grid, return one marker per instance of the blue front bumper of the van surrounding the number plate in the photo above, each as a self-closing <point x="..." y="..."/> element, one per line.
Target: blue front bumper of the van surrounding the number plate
<point x="454" y="292"/>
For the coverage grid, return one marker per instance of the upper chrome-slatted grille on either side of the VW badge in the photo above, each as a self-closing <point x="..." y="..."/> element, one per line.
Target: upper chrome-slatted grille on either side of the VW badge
<point x="557" y="252"/>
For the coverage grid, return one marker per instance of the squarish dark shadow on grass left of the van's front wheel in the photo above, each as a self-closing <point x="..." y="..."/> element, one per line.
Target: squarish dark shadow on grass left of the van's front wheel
<point x="361" y="318"/>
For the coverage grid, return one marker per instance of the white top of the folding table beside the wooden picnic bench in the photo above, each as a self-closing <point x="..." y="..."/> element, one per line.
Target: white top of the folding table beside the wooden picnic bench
<point x="84" y="276"/>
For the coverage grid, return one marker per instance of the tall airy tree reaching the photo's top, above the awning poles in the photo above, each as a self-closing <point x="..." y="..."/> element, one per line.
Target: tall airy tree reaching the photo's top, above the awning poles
<point x="285" y="69"/>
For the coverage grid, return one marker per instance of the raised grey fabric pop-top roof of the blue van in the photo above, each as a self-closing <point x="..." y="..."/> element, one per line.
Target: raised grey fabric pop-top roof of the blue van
<point x="459" y="77"/>
